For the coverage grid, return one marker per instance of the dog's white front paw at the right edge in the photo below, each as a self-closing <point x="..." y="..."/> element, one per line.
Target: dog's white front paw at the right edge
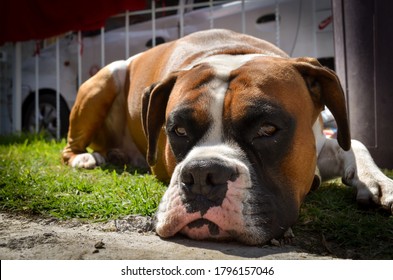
<point x="375" y="188"/>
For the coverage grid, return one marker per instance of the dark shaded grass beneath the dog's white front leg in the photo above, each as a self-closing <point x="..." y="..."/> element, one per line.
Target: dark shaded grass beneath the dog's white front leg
<point x="331" y="223"/>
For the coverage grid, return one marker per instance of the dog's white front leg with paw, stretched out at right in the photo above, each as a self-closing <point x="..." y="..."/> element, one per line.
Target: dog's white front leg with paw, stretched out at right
<point x="356" y="168"/>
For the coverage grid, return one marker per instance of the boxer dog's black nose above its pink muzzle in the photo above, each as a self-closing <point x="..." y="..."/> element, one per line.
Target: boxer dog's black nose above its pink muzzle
<point x="207" y="178"/>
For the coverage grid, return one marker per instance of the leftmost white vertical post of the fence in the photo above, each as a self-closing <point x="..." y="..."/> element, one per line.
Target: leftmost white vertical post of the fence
<point x="17" y="82"/>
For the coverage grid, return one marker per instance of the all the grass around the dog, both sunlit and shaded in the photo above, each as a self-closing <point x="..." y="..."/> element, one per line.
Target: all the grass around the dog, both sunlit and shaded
<point x="33" y="180"/>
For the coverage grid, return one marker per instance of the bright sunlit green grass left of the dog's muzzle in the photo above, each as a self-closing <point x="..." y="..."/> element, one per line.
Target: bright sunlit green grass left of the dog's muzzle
<point x="33" y="180"/>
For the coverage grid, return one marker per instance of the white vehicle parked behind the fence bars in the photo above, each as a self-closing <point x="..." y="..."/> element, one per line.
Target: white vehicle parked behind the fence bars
<point x="298" y="35"/>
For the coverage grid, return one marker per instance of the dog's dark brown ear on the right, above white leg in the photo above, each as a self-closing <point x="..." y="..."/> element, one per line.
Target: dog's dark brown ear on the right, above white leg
<point x="325" y="89"/>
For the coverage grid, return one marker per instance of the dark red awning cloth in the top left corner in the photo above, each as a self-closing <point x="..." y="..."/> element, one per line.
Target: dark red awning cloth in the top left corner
<point x="22" y="20"/>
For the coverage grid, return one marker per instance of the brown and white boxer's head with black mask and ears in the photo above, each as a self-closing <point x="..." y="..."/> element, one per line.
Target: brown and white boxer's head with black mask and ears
<point x="238" y="141"/>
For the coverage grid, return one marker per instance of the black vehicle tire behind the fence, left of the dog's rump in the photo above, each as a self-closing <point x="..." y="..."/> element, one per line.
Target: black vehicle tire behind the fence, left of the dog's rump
<point x="47" y="116"/>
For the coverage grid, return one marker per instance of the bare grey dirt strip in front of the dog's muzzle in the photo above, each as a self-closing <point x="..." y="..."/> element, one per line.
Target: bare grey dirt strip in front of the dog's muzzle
<point x="26" y="237"/>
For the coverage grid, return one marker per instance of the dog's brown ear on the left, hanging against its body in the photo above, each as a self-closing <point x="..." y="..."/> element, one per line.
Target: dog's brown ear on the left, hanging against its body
<point x="154" y="101"/>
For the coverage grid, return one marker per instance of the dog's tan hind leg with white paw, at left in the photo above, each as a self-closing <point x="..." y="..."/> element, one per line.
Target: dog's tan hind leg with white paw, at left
<point x="92" y="108"/>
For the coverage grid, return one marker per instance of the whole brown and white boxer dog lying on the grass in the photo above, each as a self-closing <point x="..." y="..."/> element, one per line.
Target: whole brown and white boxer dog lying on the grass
<point x="232" y="122"/>
